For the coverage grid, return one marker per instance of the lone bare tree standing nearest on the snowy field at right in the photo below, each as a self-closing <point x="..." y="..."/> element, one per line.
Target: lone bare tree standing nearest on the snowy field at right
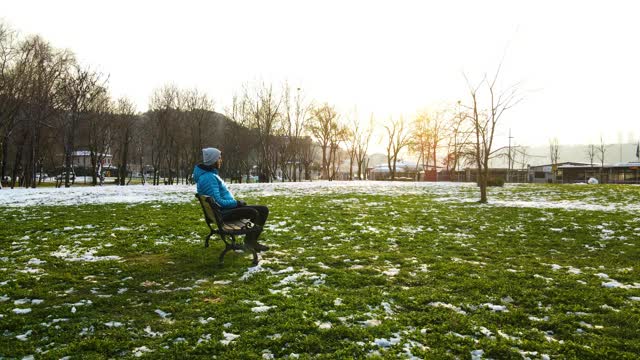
<point x="484" y="123"/>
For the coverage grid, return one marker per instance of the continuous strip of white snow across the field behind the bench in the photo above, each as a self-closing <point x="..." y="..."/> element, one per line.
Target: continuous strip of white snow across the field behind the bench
<point x="527" y="196"/>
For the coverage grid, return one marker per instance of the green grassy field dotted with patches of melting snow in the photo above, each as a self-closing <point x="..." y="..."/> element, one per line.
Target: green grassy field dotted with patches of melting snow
<point x="407" y="272"/>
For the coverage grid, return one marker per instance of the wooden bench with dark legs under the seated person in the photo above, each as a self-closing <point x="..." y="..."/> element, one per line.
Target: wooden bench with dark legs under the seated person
<point x="213" y="215"/>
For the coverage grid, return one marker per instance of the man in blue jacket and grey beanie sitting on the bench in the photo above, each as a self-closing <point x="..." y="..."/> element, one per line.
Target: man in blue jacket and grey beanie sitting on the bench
<point x="211" y="184"/>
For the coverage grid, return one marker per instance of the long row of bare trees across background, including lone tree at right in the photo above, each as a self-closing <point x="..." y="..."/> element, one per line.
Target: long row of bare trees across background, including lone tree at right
<point x="51" y="106"/>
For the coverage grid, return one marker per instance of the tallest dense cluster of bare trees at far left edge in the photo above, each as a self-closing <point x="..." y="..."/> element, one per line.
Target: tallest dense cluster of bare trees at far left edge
<point x="44" y="94"/>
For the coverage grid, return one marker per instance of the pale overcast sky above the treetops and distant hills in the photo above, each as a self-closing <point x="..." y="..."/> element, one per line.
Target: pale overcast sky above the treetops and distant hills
<point x="577" y="62"/>
